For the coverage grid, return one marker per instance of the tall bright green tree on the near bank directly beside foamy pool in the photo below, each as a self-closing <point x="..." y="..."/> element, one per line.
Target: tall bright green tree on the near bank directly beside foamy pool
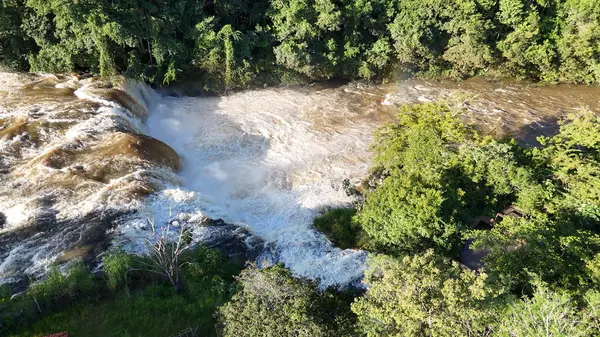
<point x="406" y="210"/>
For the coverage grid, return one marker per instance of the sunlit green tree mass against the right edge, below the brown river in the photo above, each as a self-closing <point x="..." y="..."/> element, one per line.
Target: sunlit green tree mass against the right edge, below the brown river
<point x="558" y="240"/>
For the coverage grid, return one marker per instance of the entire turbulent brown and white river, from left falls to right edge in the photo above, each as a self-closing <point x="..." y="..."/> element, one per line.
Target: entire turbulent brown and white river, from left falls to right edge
<point x="85" y="164"/>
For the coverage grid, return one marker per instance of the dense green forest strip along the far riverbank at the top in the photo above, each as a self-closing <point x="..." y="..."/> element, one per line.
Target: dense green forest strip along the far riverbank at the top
<point x="228" y="44"/>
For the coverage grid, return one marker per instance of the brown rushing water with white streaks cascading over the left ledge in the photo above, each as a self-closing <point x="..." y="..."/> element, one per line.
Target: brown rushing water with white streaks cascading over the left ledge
<point x="61" y="173"/>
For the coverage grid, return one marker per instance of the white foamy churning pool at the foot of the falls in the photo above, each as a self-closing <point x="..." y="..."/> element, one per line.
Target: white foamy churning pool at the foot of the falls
<point x="269" y="161"/>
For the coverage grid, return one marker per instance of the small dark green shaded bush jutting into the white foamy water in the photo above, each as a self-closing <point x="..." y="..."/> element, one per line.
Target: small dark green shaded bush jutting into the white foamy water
<point x="340" y="227"/>
